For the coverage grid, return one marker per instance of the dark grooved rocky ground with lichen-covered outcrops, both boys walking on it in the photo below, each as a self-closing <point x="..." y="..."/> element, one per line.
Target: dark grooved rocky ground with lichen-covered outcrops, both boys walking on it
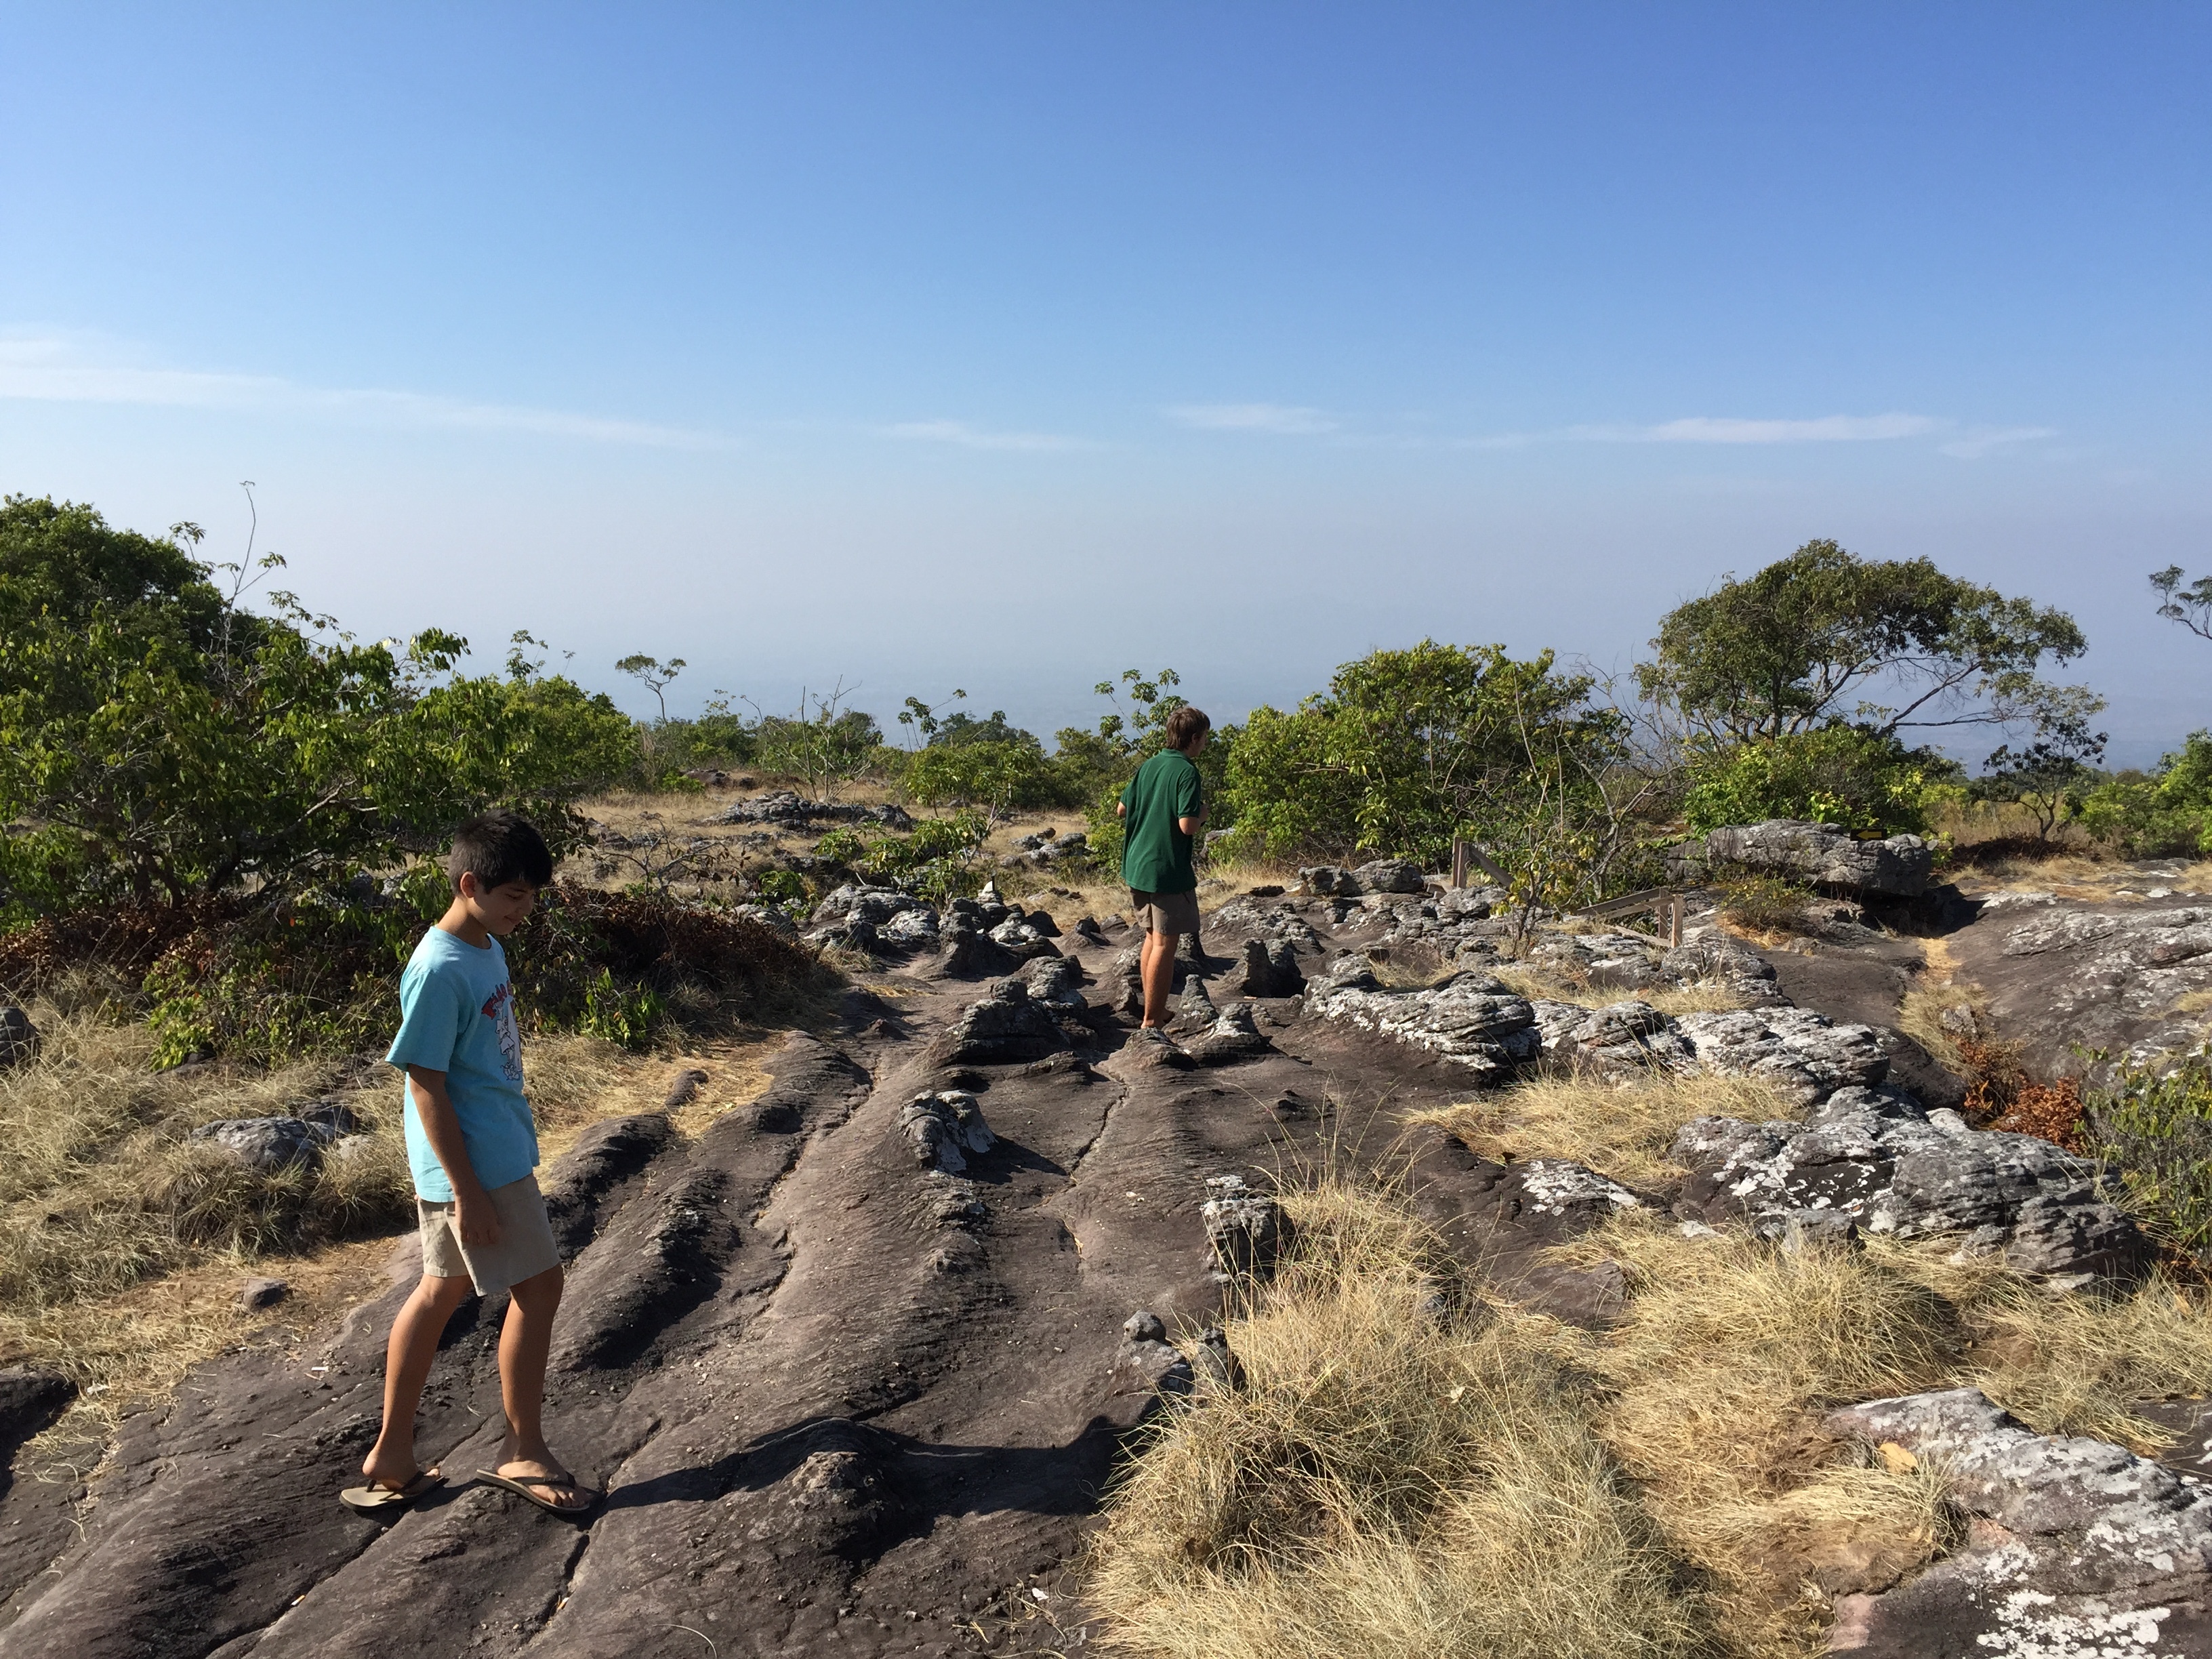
<point x="857" y="1359"/>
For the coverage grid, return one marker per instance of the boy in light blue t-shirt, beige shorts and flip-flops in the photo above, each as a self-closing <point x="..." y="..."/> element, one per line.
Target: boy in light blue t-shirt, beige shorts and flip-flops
<point x="472" y="1149"/>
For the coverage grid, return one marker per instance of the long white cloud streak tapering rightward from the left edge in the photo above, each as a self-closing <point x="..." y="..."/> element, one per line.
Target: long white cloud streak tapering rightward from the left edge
<point x="59" y="371"/>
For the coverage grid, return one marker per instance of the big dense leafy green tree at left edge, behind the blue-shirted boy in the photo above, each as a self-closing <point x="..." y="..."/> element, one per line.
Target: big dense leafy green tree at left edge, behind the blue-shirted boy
<point x="160" y="744"/>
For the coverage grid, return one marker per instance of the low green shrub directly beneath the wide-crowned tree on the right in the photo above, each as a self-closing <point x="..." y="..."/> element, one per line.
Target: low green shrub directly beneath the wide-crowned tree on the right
<point x="1841" y="775"/>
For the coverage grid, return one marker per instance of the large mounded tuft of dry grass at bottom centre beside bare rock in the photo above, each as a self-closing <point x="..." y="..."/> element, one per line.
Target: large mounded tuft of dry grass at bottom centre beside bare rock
<point x="1386" y="1481"/>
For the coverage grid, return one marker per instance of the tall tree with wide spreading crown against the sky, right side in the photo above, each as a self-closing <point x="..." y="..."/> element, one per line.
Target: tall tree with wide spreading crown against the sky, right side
<point x="1813" y="638"/>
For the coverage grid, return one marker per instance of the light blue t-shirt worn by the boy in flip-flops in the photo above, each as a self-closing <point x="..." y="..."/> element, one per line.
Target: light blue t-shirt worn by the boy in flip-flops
<point x="459" y="1016"/>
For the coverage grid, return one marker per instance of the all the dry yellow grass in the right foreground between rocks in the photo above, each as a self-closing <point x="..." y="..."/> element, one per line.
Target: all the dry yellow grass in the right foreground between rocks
<point x="1255" y="1523"/>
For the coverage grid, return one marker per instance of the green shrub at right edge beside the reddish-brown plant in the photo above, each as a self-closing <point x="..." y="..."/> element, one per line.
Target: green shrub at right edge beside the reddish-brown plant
<point x="2153" y="1131"/>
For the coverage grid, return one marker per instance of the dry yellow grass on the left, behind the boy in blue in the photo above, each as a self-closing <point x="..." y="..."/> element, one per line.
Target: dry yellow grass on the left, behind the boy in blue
<point x="123" y="1246"/>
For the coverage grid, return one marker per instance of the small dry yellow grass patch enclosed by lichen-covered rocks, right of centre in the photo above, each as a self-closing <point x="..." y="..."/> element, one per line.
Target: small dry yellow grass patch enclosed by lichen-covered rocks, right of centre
<point x="1614" y="1127"/>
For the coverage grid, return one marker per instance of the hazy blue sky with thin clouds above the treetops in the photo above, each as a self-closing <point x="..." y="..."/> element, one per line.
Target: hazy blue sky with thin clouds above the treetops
<point x="1008" y="346"/>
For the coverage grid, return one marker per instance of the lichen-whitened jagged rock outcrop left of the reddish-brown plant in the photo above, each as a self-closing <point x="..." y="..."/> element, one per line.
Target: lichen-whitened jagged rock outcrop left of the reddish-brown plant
<point x="1881" y="1160"/>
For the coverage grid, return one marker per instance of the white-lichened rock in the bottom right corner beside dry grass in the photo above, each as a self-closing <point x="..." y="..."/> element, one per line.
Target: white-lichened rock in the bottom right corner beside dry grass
<point x="2076" y="1547"/>
